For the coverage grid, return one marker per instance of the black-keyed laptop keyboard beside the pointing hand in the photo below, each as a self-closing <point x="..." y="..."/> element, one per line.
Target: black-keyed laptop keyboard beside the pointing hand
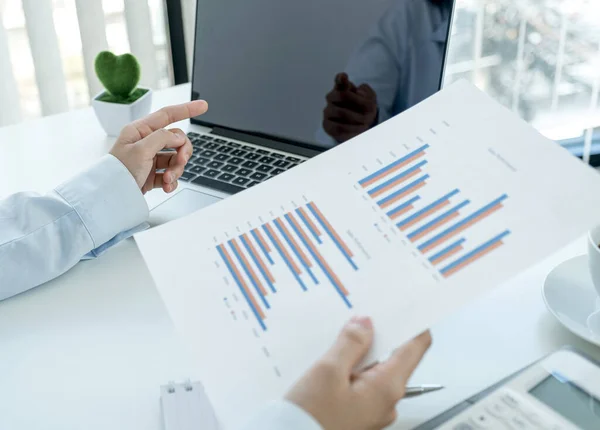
<point x="232" y="167"/>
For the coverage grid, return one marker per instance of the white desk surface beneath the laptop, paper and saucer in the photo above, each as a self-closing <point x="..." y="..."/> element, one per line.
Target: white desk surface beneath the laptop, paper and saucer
<point x="90" y="349"/>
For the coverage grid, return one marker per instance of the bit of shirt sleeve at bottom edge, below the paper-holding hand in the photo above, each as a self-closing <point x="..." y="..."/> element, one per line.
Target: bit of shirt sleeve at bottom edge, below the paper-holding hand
<point x="283" y="415"/>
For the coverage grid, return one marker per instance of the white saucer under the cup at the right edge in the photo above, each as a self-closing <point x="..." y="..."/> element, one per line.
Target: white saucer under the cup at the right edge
<point x="570" y="296"/>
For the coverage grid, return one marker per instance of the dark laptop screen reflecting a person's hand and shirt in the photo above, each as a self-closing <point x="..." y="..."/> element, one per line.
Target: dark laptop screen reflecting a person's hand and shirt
<point x="316" y="72"/>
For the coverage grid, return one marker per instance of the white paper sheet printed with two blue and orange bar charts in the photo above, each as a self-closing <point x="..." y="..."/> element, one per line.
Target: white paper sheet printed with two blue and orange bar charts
<point x="404" y="223"/>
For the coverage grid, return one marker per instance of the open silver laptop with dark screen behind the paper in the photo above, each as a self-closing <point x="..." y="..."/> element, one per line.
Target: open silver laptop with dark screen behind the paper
<point x="286" y="81"/>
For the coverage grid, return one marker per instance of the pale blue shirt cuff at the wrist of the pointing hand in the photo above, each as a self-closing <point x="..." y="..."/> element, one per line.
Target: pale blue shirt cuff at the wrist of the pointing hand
<point x="106" y="198"/>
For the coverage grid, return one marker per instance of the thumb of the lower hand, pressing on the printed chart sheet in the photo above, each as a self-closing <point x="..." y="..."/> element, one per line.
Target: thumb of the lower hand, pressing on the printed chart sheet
<point x="352" y="344"/>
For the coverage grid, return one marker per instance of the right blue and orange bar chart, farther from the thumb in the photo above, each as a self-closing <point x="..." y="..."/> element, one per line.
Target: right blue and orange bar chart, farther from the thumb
<point x="437" y="226"/>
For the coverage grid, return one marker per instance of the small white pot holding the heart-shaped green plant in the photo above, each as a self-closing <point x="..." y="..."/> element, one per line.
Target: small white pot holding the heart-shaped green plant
<point x="114" y="116"/>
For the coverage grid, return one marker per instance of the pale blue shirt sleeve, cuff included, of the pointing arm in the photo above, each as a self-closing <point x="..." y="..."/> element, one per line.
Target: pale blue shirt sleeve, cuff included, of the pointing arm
<point x="41" y="237"/>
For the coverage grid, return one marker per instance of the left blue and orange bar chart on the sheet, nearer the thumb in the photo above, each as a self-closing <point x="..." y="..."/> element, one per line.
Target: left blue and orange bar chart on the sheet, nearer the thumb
<point x="294" y="240"/>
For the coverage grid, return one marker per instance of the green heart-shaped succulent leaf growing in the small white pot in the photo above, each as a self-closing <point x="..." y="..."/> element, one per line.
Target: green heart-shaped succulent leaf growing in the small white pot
<point x="120" y="75"/>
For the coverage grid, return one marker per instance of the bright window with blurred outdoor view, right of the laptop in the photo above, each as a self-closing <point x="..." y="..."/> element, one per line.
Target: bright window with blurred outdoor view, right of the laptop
<point x="539" y="58"/>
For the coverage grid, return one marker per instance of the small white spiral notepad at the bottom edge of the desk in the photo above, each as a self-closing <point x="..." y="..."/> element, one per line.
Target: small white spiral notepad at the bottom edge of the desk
<point x="186" y="407"/>
